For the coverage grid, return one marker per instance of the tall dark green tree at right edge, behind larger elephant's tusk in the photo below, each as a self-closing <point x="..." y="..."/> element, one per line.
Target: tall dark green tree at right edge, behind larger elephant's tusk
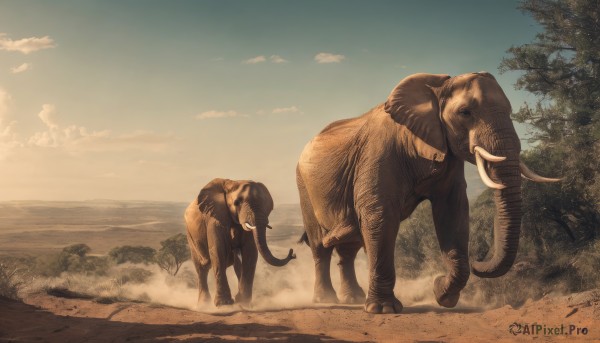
<point x="562" y="68"/>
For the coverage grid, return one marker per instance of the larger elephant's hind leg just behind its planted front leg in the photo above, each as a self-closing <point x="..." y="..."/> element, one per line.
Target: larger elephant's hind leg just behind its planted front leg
<point x="350" y="291"/>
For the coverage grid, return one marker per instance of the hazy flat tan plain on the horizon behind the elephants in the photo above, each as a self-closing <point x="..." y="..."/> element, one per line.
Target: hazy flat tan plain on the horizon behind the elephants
<point x="33" y="227"/>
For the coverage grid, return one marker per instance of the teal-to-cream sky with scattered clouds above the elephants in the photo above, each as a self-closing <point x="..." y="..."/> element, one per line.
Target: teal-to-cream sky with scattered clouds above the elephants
<point x="150" y="100"/>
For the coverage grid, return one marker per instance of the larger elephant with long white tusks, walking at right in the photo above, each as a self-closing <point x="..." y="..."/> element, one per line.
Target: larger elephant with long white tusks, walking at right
<point x="360" y="177"/>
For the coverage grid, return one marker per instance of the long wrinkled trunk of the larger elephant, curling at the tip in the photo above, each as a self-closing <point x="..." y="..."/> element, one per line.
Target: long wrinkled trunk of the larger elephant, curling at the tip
<point x="507" y="221"/>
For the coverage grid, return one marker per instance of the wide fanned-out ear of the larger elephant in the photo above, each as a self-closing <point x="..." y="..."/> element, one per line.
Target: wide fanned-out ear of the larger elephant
<point x="414" y="104"/>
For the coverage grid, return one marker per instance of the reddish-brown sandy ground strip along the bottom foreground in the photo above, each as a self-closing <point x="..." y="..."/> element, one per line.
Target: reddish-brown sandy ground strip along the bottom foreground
<point x="58" y="319"/>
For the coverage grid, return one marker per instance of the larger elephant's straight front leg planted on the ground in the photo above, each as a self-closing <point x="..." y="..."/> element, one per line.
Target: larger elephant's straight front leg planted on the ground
<point x="379" y="232"/>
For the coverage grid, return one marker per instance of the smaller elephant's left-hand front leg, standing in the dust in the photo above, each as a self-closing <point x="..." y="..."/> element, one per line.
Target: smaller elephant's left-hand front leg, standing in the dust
<point x="219" y="250"/>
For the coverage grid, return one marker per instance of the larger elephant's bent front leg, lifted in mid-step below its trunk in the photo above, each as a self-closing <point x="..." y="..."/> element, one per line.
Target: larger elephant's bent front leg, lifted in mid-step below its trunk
<point x="451" y="219"/>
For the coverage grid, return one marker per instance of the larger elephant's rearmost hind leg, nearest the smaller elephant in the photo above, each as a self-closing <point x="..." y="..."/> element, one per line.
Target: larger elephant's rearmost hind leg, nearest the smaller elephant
<point x="323" y="291"/>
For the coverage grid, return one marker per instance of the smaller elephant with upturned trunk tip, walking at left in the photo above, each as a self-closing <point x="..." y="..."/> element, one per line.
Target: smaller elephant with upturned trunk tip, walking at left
<point x="228" y="219"/>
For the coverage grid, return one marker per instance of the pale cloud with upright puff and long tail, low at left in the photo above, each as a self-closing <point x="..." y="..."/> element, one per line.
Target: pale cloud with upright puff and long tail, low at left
<point x="78" y="139"/>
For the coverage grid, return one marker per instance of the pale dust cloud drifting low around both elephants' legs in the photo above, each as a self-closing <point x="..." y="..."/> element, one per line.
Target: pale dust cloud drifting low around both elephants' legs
<point x="274" y="288"/>
